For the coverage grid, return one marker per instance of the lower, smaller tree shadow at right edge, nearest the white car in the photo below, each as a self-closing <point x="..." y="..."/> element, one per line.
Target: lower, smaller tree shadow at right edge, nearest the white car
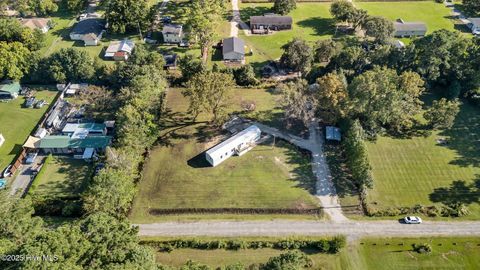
<point x="458" y="192"/>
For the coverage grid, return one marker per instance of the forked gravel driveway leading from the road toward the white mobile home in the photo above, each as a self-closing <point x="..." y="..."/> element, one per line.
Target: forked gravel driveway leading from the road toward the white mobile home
<point x="325" y="189"/>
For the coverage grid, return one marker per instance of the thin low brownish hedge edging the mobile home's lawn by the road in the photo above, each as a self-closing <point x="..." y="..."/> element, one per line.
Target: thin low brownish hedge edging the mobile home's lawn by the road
<point x="248" y="211"/>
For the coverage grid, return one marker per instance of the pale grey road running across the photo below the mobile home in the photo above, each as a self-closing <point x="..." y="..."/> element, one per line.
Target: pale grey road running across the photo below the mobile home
<point x="352" y="230"/>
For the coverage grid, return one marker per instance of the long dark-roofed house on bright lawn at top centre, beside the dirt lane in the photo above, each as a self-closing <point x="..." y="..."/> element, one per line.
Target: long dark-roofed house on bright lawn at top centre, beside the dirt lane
<point x="270" y="22"/>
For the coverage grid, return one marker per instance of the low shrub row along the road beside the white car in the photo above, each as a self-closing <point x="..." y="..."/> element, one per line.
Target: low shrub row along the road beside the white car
<point x="457" y="210"/>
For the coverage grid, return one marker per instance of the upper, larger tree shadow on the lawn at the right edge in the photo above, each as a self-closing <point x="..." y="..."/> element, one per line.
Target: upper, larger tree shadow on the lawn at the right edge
<point x="464" y="137"/>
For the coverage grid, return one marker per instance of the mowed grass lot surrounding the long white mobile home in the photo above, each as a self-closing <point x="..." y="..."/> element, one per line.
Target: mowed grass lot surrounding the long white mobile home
<point x="176" y="175"/>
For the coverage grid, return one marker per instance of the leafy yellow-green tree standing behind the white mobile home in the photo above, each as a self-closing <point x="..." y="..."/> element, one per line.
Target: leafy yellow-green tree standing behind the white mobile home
<point x="210" y="92"/>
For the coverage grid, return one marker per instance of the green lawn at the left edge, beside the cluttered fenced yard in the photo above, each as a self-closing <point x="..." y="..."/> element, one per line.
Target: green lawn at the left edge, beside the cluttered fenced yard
<point x="17" y="122"/>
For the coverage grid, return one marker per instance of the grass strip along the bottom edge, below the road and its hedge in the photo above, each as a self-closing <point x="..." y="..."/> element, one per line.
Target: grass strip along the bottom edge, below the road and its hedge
<point x="363" y="254"/>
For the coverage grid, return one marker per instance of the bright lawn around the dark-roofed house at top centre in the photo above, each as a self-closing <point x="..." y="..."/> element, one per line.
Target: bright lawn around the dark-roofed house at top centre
<point x="311" y="21"/>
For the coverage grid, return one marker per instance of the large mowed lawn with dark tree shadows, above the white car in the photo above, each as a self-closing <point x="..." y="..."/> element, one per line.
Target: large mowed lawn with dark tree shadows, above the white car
<point x="420" y="171"/>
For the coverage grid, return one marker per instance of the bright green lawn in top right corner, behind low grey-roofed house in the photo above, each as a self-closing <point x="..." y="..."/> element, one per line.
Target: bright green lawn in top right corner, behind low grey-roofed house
<point x="435" y="15"/>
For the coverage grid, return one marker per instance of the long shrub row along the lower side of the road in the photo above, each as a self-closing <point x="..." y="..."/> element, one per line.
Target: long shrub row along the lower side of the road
<point x="332" y="245"/>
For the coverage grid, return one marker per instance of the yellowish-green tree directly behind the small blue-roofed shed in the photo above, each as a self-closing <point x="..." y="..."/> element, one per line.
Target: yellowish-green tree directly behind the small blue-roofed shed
<point x="332" y="97"/>
